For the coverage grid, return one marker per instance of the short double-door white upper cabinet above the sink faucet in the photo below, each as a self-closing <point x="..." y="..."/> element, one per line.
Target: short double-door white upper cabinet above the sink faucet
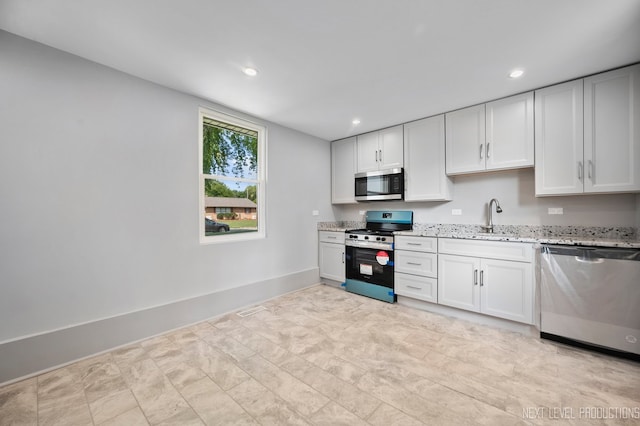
<point x="493" y="136"/>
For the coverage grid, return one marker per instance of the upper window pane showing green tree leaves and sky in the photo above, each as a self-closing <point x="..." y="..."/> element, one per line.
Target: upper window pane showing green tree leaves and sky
<point x="227" y="152"/>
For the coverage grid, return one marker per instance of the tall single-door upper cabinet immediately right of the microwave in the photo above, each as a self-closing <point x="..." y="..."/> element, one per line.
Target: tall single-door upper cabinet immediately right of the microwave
<point x="424" y="161"/>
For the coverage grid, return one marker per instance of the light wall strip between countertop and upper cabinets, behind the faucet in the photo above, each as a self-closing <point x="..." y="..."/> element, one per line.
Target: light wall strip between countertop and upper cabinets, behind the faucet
<point x="515" y="190"/>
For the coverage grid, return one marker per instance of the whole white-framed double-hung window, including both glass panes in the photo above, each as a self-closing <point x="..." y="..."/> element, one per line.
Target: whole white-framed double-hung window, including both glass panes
<point x="232" y="183"/>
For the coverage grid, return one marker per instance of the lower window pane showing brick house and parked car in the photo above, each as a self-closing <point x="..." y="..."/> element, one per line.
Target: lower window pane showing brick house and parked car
<point x="230" y="207"/>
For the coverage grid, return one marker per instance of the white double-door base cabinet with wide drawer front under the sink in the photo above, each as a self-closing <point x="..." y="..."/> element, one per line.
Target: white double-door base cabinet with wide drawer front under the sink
<point x="490" y="277"/>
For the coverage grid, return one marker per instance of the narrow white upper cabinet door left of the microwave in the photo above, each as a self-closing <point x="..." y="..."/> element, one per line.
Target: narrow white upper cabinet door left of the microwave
<point x="343" y="169"/>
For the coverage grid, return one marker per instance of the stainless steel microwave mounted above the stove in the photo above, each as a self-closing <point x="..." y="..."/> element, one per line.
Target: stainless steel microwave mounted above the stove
<point x="380" y="185"/>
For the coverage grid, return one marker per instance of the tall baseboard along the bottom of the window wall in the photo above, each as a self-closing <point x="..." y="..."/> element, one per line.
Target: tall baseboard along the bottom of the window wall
<point x="36" y="354"/>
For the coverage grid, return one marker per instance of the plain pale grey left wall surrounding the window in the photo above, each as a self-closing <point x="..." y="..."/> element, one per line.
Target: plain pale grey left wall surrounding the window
<point x="99" y="193"/>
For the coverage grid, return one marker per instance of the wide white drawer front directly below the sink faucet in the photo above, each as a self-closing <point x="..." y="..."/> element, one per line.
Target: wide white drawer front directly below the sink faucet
<point x="506" y="250"/>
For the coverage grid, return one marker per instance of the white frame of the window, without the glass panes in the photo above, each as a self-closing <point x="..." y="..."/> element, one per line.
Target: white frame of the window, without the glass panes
<point x="261" y="181"/>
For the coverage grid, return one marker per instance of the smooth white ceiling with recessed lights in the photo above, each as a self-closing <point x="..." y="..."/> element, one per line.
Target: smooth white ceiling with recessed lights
<point x="323" y="63"/>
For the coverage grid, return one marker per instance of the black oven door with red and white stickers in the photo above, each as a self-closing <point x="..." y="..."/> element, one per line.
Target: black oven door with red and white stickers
<point x="370" y="265"/>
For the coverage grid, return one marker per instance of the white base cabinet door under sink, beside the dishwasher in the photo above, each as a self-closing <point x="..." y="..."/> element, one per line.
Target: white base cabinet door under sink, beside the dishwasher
<point x="506" y="290"/>
